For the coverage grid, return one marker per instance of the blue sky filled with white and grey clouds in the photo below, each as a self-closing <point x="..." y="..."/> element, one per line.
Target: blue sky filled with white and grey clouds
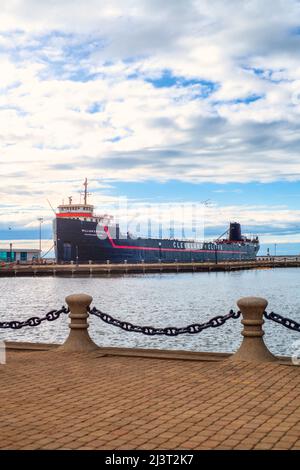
<point x="180" y="100"/>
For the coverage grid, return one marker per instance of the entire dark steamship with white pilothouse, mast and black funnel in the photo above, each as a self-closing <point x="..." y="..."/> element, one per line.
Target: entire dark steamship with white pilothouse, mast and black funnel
<point x="81" y="236"/>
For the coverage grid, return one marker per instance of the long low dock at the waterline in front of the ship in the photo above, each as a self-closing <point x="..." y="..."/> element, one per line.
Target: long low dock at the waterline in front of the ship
<point x="91" y="269"/>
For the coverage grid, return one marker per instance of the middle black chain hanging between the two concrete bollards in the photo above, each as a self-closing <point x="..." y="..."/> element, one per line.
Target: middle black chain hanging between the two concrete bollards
<point x="169" y="331"/>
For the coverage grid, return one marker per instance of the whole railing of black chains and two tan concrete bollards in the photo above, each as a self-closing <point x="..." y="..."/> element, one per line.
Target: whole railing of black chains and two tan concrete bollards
<point x="252" y="309"/>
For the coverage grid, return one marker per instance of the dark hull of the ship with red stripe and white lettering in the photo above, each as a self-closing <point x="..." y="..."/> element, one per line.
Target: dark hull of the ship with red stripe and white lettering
<point x="83" y="241"/>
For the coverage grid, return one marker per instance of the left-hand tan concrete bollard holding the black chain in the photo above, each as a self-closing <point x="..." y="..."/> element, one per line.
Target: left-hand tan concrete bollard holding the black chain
<point x="78" y="340"/>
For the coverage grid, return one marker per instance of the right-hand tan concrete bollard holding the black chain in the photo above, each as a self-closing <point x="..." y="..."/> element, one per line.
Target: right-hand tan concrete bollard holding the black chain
<point x="253" y="348"/>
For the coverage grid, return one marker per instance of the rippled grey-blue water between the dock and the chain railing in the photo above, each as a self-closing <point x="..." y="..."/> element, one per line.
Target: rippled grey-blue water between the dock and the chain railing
<point x="159" y="300"/>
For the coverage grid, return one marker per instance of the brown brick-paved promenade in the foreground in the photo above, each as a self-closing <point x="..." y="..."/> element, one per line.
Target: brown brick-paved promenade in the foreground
<point x="63" y="400"/>
